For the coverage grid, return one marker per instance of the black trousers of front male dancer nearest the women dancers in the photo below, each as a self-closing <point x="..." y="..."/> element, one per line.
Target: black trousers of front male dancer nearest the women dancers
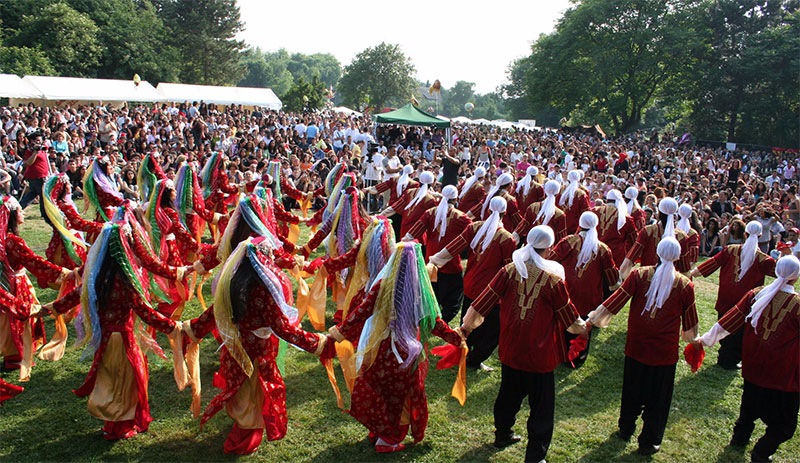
<point x="540" y="390"/>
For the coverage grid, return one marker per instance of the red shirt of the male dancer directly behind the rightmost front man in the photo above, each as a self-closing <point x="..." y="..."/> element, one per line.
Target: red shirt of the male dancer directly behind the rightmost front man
<point x="731" y="289"/>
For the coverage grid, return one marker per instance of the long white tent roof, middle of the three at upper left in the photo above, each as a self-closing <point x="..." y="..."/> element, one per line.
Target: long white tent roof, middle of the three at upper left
<point x="74" y="89"/>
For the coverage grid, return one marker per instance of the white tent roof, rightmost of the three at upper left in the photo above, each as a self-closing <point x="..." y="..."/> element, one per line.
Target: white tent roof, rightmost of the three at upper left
<point x="248" y="96"/>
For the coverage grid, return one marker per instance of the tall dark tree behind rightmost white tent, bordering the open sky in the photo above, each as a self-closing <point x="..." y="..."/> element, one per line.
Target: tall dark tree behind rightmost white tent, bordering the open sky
<point x="204" y="32"/>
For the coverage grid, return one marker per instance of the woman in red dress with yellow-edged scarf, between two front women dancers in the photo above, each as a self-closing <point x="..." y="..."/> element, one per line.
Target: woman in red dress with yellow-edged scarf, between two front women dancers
<point x="252" y="310"/>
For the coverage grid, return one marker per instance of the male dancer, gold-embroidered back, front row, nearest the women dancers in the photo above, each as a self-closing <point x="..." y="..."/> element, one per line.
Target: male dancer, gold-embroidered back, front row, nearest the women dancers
<point x="535" y="310"/>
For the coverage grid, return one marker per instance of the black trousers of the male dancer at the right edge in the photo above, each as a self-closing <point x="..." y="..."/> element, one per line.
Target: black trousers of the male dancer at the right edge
<point x="777" y="409"/>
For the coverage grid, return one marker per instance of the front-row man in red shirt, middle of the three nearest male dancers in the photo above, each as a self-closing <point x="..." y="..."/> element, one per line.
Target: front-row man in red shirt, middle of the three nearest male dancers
<point x="662" y="310"/>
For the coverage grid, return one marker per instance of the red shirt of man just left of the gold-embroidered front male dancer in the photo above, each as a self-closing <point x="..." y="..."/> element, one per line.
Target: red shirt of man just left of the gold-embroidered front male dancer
<point x="482" y="266"/>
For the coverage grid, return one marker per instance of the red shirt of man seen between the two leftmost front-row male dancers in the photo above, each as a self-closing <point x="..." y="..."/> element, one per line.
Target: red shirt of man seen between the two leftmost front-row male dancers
<point x="585" y="285"/>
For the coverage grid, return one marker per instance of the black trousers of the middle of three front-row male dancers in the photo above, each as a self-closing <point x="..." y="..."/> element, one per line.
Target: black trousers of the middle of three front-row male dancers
<point x="646" y="389"/>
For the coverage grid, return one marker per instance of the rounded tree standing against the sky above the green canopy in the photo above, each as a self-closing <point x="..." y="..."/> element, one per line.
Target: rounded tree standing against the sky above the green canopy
<point x="377" y="76"/>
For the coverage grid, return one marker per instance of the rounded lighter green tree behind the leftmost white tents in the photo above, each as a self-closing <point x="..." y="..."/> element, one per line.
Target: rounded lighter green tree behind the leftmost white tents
<point x="68" y="38"/>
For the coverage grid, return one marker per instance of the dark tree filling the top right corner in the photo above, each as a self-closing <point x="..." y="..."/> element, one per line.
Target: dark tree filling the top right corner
<point x="744" y="86"/>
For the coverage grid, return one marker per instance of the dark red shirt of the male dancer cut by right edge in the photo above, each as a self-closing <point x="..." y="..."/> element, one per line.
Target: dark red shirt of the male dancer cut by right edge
<point x="771" y="352"/>
